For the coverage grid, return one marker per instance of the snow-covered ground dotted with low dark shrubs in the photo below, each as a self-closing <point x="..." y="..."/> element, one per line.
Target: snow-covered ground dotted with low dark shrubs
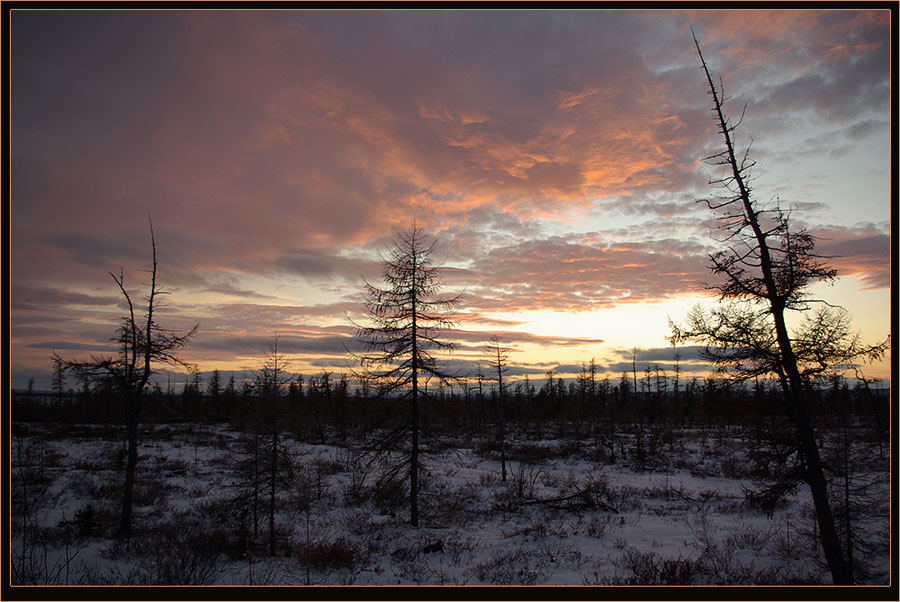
<point x="570" y="513"/>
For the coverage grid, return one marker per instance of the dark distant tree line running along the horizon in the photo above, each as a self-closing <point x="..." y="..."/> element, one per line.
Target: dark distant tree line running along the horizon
<point x="330" y="407"/>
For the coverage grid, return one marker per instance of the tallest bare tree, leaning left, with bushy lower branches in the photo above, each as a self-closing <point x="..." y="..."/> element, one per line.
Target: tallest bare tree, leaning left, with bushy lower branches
<point x="766" y="271"/>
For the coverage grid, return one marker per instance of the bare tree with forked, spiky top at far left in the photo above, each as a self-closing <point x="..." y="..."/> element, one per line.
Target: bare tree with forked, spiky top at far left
<point x="143" y="343"/>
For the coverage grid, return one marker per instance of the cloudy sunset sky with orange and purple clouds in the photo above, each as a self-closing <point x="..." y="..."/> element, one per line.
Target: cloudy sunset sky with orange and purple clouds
<point x="556" y="156"/>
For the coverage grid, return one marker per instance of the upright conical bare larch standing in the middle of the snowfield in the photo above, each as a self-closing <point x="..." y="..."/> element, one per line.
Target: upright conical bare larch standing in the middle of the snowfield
<point x="406" y="319"/>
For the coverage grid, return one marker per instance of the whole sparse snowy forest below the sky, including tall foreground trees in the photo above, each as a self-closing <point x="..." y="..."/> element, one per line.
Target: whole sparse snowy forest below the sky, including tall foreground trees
<point x="773" y="470"/>
